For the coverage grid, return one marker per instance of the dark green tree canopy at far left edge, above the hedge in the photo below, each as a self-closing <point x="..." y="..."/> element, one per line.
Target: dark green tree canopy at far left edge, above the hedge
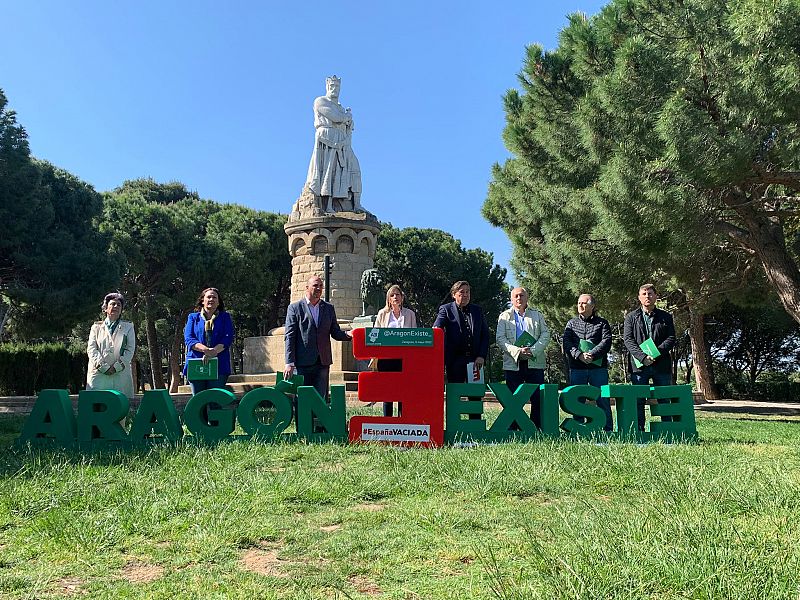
<point x="53" y="260"/>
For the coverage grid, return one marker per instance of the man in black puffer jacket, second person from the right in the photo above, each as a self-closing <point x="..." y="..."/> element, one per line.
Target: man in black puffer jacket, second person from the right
<point x="587" y="340"/>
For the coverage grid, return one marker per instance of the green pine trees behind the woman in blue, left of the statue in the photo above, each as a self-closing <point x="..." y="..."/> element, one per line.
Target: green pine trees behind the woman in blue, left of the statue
<point x="176" y="244"/>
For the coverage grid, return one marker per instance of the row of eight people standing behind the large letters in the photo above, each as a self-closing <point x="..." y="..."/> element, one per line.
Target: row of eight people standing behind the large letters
<point x="522" y="335"/>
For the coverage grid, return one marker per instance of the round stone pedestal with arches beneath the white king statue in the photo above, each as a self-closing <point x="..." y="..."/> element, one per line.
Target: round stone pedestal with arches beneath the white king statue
<point x="349" y="239"/>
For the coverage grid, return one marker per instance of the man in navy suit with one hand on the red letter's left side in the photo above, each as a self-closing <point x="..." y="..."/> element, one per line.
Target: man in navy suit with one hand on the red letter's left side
<point x="310" y="325"/>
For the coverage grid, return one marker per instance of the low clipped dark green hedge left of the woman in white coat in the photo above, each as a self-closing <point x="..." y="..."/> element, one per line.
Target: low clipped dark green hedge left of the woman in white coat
<point x="27" y="368"/>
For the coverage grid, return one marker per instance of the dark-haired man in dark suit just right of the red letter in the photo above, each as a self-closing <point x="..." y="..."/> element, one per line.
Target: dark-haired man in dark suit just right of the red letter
<point x="466" y="335"/>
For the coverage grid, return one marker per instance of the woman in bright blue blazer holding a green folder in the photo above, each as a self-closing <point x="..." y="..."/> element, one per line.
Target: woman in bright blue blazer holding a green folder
<point x="209" y="333"/>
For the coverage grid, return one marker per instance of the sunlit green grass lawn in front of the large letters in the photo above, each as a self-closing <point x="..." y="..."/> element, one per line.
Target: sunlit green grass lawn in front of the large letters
<point x="551" y="519"/>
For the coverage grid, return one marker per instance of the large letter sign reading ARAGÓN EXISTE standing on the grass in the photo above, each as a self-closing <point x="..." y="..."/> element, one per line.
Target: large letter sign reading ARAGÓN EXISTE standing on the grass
<point x="212" y="415"/>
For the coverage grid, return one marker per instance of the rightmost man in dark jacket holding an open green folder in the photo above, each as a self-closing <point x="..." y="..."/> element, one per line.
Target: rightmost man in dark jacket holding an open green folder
<point x="643" y="323"/>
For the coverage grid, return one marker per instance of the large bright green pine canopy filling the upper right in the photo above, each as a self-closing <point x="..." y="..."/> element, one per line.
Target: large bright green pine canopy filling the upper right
<point x="657" y="141"/>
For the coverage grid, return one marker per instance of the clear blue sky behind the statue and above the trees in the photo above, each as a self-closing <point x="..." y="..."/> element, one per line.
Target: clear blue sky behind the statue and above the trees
<point x="219" y="96"/>
